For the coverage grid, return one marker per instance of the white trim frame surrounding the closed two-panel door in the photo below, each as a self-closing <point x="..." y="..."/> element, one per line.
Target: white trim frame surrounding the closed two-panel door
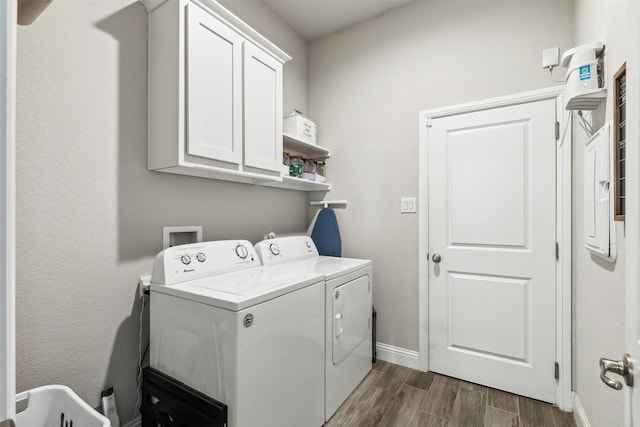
<point x="563" y="226"/>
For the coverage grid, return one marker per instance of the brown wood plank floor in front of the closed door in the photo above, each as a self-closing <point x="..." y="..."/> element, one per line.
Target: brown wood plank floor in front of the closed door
<point x="393" y="395"/>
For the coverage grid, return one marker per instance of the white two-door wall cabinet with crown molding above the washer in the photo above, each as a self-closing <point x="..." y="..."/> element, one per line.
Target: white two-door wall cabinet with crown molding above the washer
<point x="215" y="95"/>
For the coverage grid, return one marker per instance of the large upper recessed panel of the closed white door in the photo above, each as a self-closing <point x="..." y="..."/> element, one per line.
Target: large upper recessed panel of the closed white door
<point x="471" y="151"/>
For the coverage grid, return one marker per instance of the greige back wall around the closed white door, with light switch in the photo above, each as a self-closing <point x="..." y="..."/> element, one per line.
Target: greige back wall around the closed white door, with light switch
<point x="366" y="87"/>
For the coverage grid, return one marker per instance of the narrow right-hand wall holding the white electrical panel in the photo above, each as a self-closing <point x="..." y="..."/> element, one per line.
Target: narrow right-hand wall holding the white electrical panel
<point x="598" y="293"/>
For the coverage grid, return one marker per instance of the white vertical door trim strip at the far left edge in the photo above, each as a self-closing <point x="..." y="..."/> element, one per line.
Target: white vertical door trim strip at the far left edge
<point x="8" y="27"/>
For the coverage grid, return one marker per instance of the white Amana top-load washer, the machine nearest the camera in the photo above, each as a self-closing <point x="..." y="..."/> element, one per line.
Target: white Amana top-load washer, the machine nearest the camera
<point x="245" y="335"/>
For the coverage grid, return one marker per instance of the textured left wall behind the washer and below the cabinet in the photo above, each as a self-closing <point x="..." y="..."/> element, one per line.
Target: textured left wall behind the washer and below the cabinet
<point x="89" y="214"/>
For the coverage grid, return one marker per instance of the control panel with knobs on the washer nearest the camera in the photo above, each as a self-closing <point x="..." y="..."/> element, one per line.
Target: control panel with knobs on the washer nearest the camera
<point x="196" y="260"/>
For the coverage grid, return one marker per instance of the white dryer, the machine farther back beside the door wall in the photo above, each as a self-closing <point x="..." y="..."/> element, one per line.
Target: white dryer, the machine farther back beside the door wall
<point x="348" y="281"/>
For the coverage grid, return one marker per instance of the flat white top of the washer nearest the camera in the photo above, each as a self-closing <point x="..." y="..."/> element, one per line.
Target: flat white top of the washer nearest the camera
<point x="239" y="290"/>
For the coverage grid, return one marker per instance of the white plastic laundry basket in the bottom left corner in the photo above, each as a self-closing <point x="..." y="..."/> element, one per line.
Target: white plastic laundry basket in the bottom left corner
<point x="55" y="406"/>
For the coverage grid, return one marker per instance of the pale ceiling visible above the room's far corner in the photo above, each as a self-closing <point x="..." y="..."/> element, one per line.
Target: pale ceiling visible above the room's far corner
<point x="313" y="19"/>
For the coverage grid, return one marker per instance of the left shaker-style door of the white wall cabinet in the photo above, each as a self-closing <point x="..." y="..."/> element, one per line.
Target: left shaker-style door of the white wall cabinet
<point x="214" y="88"/>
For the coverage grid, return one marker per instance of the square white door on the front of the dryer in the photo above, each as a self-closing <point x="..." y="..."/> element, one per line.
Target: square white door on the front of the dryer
<point x="351" y="312"/>
